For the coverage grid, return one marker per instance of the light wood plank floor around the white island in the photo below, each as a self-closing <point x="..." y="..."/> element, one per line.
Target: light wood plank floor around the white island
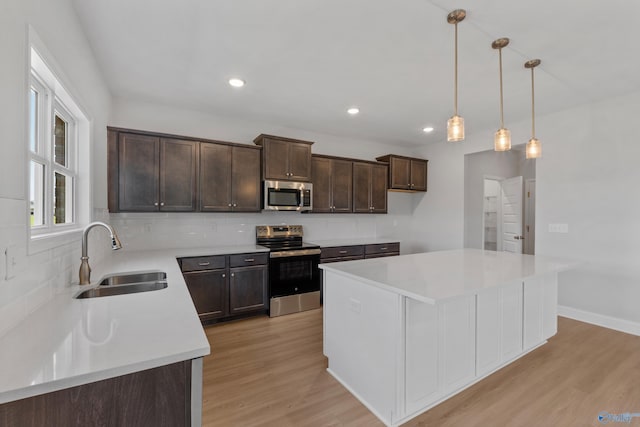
<point x="271" y="372"/>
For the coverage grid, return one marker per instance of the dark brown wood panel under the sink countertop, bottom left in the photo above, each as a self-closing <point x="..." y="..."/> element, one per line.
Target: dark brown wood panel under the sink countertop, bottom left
<point x="158" y="397"/>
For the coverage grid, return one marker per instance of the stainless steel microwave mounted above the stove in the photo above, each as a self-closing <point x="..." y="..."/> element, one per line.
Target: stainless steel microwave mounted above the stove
<point x="288" y="196"/>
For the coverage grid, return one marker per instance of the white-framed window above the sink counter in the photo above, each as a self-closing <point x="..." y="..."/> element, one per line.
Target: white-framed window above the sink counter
<point x="54" y="137"/>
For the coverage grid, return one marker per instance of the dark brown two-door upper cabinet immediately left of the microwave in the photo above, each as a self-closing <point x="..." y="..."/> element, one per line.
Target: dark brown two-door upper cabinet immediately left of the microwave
<point x="229" y="178"/>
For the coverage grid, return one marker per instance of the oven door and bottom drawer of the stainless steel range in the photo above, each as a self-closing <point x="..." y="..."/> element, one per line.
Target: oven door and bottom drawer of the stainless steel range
<point x="294" y="284"/>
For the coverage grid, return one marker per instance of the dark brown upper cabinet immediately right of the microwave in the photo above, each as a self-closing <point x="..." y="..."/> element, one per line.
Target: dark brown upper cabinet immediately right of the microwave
<point x="332" y="184"/>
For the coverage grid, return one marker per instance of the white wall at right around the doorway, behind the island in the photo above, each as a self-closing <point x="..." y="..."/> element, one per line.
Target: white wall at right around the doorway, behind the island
<point x="587" y="179"/>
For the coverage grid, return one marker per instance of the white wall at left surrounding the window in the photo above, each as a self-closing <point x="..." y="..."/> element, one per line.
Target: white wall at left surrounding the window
<point x="39" y="275"/>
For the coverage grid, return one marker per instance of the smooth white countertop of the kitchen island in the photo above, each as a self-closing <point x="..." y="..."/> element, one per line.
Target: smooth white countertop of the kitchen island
<point x="434" y="276"/>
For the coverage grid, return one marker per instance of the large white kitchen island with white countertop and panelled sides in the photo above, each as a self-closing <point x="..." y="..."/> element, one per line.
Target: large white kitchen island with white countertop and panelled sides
<point x="404" y="333"/>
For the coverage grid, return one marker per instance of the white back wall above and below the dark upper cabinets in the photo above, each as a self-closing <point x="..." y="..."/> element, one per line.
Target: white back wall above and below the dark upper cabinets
<point x="154" y="230"/>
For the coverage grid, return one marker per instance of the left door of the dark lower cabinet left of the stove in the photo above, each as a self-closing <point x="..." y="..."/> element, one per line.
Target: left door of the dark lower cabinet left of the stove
<point x="209" y="291"/>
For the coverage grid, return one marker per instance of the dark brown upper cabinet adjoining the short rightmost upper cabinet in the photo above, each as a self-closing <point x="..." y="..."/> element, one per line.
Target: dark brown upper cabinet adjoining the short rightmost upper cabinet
<point x="369" y="187"/>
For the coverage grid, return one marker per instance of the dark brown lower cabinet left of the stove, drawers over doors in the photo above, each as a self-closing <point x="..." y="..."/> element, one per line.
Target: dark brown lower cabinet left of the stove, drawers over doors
<point x="225" y="287"/>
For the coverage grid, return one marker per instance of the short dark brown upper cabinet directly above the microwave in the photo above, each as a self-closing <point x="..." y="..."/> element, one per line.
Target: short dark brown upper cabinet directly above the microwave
<point x="285" y="159"/>
